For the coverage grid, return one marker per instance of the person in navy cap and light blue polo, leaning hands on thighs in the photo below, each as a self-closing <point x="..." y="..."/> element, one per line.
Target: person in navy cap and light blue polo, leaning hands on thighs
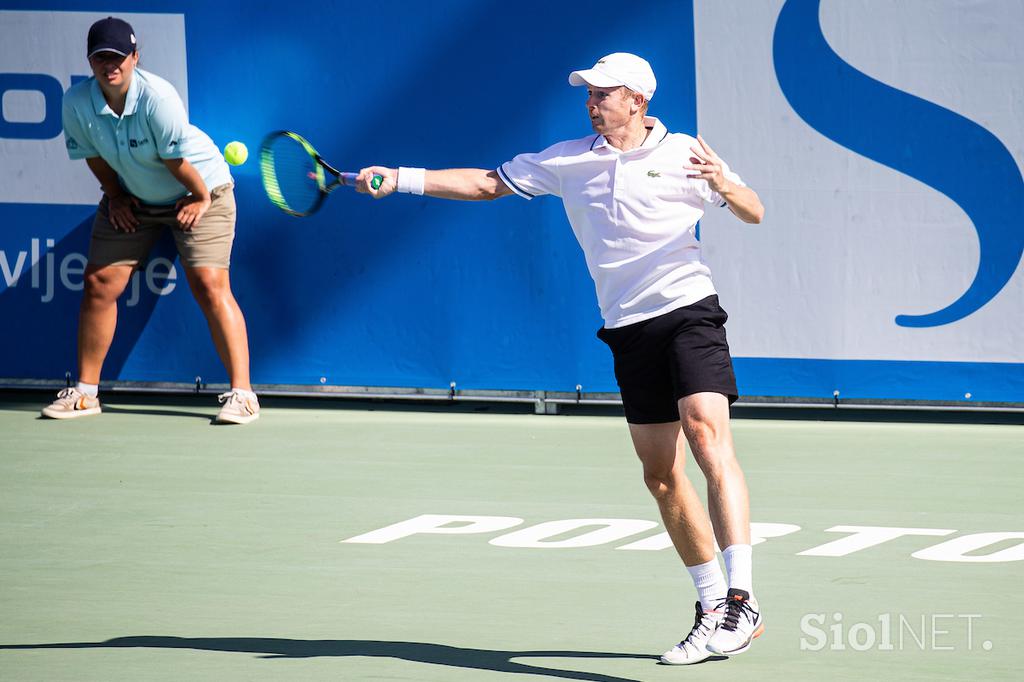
<point x="157" y="173"/>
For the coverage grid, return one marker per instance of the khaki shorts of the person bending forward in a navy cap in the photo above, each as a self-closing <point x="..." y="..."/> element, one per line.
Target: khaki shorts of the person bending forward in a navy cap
<point x="206" y="245"/>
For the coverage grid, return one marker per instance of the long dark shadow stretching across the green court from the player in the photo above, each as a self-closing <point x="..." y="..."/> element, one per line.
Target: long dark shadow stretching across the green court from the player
<point x="424" y="653"/>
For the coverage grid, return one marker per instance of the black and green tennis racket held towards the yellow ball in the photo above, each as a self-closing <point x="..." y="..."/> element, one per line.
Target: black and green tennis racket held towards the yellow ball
<point x="293" y="175"/>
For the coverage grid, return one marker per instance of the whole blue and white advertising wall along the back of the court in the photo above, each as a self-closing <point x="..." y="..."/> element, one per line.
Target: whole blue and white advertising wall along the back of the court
<point x="416" y="292"/>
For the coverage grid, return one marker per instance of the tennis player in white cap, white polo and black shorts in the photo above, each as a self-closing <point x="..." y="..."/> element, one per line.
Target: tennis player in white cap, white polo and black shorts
<point x="633" y="194"/>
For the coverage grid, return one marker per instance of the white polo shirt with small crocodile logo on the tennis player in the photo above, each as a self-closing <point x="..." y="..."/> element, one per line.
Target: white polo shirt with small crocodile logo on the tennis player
<point x="634" y="215"/>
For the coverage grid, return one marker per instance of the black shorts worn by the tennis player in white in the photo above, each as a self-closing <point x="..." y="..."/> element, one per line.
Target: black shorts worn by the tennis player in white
<point x="662" y="360"/>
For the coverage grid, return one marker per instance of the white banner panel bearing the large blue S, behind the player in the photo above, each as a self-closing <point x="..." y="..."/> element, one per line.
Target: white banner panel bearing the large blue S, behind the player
<point x="849" y="244"/>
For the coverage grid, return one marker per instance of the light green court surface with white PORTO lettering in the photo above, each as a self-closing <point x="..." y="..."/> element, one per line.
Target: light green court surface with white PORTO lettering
<point x="146" y="544"/>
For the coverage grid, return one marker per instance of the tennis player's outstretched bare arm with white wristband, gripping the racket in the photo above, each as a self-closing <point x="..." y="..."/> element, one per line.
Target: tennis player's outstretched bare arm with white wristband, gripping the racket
<point x="460" y="184"/>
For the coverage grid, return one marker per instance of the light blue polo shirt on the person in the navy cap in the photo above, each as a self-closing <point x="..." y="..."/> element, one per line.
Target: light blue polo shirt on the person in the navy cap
<point x="153" y="126"/>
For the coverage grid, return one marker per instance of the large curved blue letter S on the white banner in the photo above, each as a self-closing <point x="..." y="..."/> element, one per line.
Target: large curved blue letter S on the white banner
<point x="942" y="149"/>
